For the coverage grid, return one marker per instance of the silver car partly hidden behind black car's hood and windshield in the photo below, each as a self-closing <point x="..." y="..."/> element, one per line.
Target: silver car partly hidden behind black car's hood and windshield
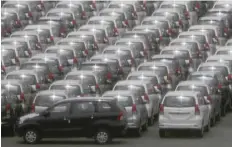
<point x="47" y="98"/>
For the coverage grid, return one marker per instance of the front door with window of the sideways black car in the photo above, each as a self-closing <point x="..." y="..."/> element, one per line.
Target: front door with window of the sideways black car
<point x="56" y="123"/>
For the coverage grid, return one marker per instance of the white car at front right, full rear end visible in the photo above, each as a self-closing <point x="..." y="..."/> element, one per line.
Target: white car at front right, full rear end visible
<point x="180" y="110"/>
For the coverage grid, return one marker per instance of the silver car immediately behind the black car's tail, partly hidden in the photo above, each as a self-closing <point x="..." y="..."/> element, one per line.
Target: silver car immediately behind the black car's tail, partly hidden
<point x="137" y="116"/>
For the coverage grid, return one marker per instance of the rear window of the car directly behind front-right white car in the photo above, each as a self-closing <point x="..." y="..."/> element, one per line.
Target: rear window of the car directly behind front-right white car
<point x="202" y="89"/>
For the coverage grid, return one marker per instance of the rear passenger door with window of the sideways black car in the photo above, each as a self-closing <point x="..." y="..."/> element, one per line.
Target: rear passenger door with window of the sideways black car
<point x="81" y="117"/>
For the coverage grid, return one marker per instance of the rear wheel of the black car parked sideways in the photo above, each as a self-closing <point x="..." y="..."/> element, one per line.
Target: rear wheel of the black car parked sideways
<point x="102" y="136"/>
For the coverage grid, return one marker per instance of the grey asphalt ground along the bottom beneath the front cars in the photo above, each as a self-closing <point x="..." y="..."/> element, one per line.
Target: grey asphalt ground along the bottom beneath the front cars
<point x="219" y="136"/>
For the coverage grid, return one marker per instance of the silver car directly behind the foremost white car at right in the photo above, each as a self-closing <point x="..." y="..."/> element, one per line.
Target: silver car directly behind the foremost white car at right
<point x="213" y="97"/>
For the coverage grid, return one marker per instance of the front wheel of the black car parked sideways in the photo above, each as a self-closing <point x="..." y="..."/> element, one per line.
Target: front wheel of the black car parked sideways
<point x="31" y="136"/>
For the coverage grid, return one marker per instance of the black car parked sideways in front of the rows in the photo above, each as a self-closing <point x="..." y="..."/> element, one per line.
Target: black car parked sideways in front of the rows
<point x="75" y="117"/>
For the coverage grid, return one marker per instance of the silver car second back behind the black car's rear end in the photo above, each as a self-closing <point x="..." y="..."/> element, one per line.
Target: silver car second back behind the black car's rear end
<point x="147" y="90"/>
